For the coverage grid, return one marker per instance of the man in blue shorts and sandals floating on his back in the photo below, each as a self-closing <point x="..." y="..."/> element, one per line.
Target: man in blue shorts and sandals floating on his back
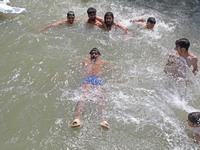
<point x="93" y="68"/>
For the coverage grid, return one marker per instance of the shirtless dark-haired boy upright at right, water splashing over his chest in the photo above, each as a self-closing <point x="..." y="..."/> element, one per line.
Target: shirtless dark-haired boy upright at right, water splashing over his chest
<point x="177" y="63"/>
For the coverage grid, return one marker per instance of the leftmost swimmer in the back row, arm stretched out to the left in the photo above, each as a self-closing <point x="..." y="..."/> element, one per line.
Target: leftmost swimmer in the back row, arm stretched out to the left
<point x="69" y="21"/>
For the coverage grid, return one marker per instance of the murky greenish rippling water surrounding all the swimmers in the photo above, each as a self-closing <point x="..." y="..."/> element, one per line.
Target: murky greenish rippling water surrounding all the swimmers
<point x="40" y="76"/>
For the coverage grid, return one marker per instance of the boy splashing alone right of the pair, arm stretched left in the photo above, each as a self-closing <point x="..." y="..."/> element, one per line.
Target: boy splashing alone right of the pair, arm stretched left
<point x="150" y="23"/>
